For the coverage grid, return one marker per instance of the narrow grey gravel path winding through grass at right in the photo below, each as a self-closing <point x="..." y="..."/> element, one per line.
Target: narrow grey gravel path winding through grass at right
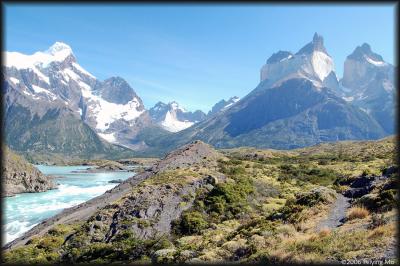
<point x="337" y="214"/>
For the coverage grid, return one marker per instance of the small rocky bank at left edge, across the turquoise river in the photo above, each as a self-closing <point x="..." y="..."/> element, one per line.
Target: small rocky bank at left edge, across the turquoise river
<point x="19" y="176"/>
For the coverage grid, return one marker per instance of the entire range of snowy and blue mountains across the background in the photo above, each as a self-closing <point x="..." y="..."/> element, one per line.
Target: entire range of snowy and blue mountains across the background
<point x="54" y="105"/>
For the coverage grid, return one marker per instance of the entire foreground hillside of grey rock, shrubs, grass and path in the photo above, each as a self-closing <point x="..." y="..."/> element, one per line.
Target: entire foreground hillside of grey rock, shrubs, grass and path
<point x="247" y="205"/>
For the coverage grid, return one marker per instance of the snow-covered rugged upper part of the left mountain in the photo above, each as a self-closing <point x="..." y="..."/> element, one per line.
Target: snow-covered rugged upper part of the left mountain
<point x="110" y="107"/>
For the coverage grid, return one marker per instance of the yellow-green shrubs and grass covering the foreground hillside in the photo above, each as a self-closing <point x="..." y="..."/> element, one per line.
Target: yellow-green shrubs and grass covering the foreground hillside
<point x="259" y="205"/>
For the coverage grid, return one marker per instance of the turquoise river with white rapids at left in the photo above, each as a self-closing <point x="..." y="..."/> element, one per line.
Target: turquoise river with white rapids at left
<point x="24" y="211"/>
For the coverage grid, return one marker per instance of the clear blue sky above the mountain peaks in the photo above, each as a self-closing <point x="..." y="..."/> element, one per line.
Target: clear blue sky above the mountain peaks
<point x="194" y="54"/>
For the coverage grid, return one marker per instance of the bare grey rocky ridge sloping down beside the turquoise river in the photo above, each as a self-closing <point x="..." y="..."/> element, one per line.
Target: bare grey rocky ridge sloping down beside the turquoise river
<point x="154" y="195"/>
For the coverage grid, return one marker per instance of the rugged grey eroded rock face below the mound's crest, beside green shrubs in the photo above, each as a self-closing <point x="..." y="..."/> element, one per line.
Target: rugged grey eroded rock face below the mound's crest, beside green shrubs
<point x="149" y="212"/>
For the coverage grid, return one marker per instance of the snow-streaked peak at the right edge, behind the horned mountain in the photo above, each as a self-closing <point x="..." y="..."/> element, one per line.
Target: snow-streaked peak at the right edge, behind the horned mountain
<point x="368" y="82"/>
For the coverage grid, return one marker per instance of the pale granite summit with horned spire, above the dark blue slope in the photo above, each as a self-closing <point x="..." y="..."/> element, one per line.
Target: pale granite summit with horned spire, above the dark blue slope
<point x="311" y="62"/>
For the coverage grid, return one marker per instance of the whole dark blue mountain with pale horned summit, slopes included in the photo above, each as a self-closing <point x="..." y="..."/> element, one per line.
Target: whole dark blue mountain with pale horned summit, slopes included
<point x="296" y="104"/>
